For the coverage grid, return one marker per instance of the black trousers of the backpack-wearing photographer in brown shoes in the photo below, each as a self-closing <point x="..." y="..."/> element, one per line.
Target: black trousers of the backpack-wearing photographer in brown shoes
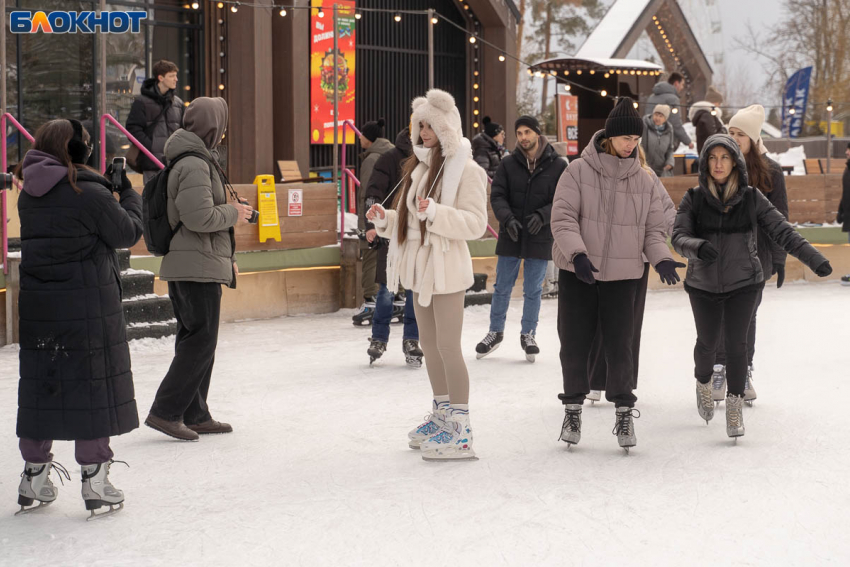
<point x="183" y="392"/>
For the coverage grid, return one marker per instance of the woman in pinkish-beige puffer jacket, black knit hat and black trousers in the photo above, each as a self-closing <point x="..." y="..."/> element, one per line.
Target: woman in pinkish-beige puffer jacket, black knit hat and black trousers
<point x="605" y="217"/>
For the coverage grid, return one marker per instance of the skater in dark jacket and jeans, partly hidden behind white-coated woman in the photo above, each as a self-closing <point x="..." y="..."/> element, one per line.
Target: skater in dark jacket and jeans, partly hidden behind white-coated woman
<point x="383" y="186"/>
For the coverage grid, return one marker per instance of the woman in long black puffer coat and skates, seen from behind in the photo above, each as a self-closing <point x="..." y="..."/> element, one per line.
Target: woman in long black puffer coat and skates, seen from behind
<point x="75" y="378"/>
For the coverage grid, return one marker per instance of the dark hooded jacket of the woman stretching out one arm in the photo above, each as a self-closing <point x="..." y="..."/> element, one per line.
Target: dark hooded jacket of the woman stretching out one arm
<point x="732" y="229"/>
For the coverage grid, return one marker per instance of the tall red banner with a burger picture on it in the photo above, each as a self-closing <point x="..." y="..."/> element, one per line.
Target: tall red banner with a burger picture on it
<point x="322" y="69"/>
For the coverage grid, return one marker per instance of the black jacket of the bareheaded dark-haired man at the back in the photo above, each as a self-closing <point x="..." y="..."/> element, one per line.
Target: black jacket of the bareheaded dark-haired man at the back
<point x="153" y="118"/>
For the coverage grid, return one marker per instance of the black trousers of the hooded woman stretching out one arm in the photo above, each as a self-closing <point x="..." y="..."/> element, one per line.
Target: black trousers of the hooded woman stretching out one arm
<point x="723" y="316"/>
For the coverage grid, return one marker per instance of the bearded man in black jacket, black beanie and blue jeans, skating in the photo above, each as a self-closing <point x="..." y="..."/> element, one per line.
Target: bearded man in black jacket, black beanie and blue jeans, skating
<point x="522" y="194"/>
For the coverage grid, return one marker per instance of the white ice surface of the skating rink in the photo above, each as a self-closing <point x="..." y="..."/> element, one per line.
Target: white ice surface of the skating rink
<point x="318" y="471"/>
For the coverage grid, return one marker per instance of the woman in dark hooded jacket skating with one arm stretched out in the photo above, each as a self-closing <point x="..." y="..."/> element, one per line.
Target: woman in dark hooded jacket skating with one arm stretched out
<point x="717" y="230"/>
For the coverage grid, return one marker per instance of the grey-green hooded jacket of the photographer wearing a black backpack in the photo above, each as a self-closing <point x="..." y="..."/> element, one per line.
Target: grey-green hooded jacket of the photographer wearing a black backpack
<point x="203" y="248"/>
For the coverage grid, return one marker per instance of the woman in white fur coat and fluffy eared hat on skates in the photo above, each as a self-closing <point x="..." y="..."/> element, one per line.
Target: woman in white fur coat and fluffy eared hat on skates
<point x="443" y="203"/>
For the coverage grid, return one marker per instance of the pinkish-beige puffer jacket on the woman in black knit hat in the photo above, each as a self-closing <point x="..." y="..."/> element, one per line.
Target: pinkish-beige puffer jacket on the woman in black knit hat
<point x="608" y="208"/>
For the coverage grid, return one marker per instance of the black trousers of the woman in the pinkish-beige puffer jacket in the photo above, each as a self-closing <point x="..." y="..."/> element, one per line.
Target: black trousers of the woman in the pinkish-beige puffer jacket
<point x="582" y="309"/>
